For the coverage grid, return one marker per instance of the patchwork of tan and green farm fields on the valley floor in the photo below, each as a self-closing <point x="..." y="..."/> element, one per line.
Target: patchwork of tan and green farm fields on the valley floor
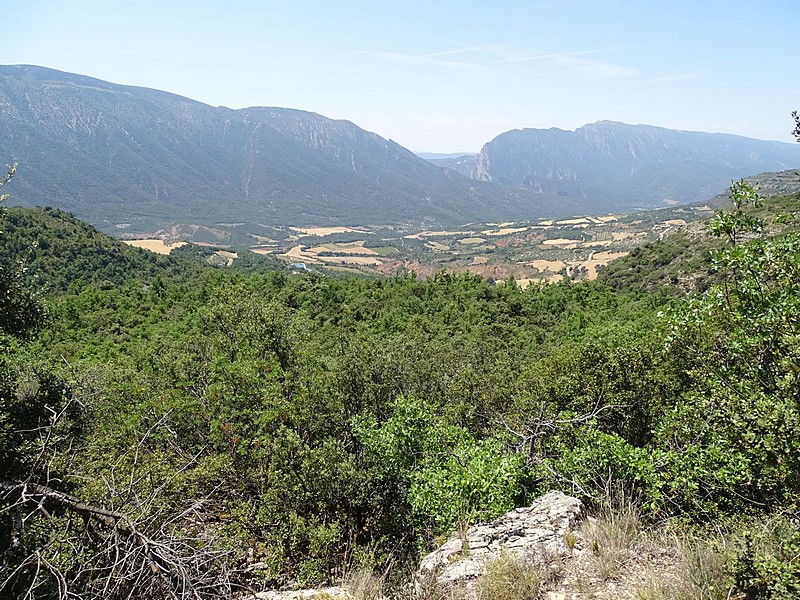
<point x="527" y="251"/>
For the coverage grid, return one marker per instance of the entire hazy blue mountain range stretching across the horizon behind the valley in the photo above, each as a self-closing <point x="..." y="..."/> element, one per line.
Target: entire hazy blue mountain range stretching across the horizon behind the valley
<point x="140" y="159"/>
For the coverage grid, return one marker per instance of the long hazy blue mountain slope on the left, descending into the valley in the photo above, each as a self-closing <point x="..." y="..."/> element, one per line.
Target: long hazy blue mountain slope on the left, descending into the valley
<point x="134" y="159"/>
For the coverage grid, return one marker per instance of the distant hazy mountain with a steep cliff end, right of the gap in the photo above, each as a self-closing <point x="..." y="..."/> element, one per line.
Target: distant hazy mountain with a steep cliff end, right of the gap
<point x="618" y="165"/>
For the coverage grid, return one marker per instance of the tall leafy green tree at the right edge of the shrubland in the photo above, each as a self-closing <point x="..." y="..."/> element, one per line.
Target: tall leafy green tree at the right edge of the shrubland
<point x="734" y="440"/>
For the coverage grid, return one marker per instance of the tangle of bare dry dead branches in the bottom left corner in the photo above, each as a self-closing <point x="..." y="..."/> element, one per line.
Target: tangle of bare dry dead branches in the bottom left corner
<point x="100" y="554"/>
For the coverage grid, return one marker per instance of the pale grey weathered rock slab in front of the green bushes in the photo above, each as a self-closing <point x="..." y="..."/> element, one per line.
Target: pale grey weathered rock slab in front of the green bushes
<point x="542" y="532"/>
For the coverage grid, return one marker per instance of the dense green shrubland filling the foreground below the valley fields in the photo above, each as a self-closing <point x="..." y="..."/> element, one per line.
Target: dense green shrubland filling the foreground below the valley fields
<point x="183" y="434"/>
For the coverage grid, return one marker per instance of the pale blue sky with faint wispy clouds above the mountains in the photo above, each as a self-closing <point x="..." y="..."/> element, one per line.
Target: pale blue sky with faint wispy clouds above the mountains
<point x="440" y="75"/>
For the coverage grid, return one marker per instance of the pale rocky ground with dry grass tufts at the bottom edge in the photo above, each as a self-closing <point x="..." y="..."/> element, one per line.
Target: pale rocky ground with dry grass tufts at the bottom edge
<point x="572" y="557"/>
